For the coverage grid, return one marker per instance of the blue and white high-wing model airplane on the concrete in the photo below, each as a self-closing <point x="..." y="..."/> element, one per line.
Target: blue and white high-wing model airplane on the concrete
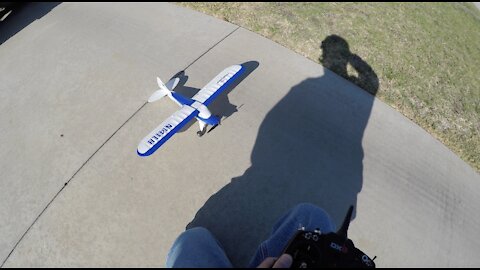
<point x="190" y="108"/>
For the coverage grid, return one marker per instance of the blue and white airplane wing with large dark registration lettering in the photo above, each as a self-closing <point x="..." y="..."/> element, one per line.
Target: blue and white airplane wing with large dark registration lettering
<point x="165" y="130"/>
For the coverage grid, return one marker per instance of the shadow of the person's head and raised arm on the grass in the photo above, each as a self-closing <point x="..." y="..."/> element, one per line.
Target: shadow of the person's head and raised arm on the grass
<point x="336" y="56"/>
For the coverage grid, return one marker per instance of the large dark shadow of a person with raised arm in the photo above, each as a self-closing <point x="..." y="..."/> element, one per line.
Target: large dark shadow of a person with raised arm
<point x="308" y="149"/>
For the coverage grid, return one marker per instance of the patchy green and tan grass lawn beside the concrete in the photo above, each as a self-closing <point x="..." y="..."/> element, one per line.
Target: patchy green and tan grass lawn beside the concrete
<point x="425" y="55"/>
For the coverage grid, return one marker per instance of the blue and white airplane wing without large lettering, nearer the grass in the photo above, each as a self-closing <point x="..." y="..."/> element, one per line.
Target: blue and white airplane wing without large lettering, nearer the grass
<point x="216" y="86"/>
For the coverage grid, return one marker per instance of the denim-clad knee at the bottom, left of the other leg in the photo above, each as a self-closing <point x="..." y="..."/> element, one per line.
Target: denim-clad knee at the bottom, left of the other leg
<point x="197" y="248"/>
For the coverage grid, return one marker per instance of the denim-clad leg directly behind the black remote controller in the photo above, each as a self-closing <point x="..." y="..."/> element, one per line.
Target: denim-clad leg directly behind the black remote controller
<point x="303" y="215"/>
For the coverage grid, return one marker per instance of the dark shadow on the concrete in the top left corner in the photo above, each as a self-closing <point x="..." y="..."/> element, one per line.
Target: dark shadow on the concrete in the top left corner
<point x="22" y="15"/>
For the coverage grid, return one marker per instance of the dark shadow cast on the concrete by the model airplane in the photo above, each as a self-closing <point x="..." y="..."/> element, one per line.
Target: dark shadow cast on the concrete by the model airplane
<point x="221" y="106"/>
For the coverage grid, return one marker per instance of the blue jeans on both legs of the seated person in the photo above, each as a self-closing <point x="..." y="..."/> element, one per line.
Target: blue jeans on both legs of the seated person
<point x="198" y="248"/>
